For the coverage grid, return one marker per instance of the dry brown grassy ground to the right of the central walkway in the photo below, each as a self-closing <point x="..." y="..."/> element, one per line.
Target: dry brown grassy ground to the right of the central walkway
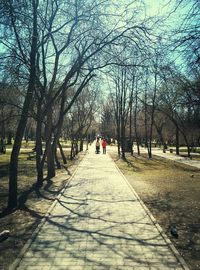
<point x="171" y="191"/>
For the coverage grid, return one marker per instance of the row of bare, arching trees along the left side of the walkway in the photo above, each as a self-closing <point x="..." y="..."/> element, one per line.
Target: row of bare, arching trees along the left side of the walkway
<point x="51" y="51"/>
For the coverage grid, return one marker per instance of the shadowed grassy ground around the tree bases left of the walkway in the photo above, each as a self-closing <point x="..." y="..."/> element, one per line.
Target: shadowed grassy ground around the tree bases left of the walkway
<point x="34" y="203"/>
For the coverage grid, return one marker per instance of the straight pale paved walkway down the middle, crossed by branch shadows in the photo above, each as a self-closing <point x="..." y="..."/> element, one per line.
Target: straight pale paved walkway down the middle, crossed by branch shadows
<point x="98" y="223"/>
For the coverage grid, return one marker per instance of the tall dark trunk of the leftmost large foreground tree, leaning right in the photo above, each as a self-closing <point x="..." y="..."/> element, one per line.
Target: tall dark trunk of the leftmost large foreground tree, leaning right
<point x="13" y="167"/>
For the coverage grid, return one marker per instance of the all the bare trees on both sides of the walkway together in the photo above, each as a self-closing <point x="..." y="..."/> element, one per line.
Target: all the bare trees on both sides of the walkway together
<point x="55" y="57"/>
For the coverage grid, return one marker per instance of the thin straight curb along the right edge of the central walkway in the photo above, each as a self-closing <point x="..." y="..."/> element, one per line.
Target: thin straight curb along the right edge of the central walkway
<point x="159" y="228"/>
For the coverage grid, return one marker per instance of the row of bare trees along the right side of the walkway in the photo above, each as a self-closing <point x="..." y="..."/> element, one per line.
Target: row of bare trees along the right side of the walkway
<point x="154" y="97"/>
